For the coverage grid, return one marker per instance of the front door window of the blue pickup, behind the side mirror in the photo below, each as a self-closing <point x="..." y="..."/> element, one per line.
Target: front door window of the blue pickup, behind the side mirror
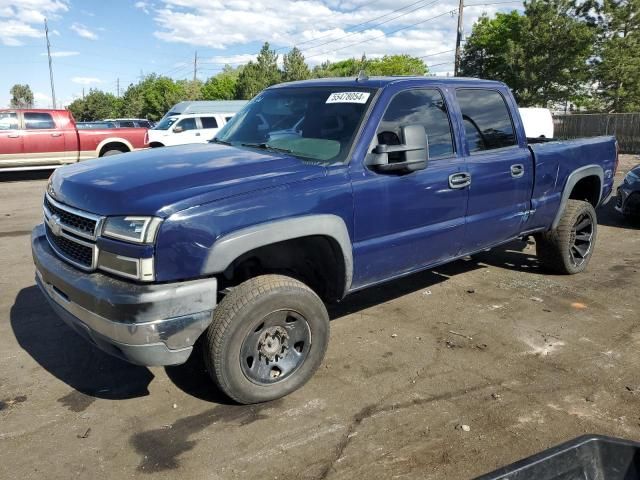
<point x="421" y="106"/>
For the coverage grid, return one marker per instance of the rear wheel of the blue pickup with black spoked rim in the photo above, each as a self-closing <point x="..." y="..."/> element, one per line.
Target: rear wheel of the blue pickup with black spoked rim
<point x="568" y="248"/>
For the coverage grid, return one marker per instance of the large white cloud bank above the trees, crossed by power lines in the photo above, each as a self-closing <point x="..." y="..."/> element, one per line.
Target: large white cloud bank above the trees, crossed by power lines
<point x="322" y="29"/>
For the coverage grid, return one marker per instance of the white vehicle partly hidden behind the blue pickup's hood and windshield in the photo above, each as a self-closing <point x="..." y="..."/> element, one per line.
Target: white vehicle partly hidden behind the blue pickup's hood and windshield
<point x="187" y="128"/>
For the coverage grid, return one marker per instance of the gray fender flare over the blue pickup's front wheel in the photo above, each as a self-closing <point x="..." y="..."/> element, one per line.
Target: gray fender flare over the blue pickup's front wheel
<point x="232" y="245"/>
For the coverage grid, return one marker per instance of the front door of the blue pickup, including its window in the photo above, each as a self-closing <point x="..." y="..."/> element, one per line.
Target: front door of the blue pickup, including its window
<point x="408" y="221"/>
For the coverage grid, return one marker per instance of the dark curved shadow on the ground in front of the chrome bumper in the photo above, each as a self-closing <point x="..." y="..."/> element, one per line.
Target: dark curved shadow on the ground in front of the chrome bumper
<point x="69" y="357"/>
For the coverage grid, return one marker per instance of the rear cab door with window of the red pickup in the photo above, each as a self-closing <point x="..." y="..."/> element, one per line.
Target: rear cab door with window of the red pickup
<point x="44" y="144"/>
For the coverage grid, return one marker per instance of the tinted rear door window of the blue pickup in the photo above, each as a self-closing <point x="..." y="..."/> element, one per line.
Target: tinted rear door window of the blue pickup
<point x="487" y="121"/>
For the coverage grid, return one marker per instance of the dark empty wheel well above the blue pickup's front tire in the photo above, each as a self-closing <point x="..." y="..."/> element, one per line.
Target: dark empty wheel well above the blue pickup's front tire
<point x="315" y="260"/>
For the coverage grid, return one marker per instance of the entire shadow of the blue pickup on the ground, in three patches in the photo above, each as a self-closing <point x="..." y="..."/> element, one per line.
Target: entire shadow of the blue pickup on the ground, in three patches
<point x="85" y="368"/>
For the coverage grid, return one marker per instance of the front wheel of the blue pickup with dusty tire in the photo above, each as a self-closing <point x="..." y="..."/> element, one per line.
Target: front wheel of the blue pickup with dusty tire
<point x="237" y="346"/>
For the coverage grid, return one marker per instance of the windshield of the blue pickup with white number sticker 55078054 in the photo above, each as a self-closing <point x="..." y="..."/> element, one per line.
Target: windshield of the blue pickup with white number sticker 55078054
<point x="315" y="123"/>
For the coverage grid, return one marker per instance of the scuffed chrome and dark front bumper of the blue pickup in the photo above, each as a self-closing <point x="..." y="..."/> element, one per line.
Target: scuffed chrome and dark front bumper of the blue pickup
<point x="145" y="324"/>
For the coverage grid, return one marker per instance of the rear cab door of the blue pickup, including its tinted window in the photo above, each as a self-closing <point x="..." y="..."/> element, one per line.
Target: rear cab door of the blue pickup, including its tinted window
<point x="500" y="168"/>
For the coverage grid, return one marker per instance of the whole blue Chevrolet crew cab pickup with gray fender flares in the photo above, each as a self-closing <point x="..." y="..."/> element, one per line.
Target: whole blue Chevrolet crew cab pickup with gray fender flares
<point x="314" y="190"/>
